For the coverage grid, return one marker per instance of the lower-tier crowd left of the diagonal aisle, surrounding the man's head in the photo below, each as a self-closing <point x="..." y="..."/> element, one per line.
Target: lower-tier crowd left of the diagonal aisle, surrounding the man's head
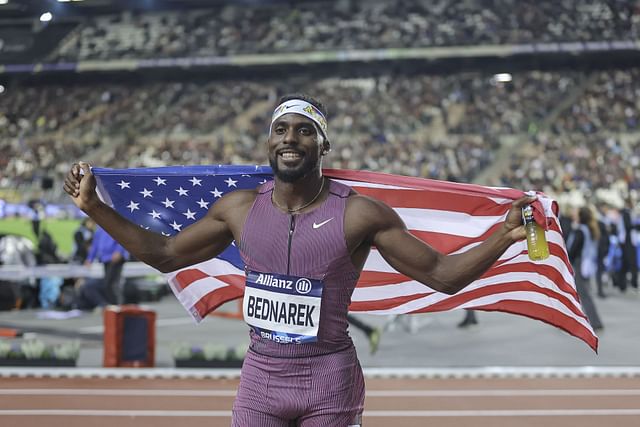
<point x="443" y="127"/>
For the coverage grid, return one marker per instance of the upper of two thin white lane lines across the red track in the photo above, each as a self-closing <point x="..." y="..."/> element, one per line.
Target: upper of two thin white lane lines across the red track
<point x="370" y="393"/>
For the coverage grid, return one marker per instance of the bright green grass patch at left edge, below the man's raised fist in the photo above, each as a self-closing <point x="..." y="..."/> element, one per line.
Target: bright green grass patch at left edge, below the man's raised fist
<point x="60" y="229"/>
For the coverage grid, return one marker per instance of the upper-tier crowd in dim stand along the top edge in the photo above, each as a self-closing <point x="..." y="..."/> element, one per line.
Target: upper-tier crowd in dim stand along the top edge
<point x="347" y="24"/>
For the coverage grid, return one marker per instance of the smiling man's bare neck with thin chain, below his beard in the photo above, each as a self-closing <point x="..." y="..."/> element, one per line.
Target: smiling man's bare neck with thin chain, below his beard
<point x="295" y="196"/>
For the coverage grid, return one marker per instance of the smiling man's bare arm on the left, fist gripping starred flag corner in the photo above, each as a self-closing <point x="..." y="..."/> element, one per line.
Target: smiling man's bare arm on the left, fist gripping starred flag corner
<point x="198" y="242"/>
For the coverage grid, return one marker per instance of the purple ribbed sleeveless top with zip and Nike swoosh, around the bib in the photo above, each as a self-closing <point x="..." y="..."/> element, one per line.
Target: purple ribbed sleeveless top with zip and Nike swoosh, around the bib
<point x="316" y="252"/>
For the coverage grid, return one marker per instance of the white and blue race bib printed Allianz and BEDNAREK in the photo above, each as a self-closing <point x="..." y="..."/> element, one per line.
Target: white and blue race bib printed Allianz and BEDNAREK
<point x="283" y="308"/>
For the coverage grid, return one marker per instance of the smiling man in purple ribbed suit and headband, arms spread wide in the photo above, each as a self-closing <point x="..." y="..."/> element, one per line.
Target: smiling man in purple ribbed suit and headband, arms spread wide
<point x="304" y="240"/>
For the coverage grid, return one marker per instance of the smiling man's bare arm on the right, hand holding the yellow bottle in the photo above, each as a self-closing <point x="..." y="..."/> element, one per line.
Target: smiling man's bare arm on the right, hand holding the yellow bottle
<point x="416" y="259"/>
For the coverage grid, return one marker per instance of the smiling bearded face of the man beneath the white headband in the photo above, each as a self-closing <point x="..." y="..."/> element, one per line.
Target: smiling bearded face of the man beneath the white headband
<point x="295" y="147"/>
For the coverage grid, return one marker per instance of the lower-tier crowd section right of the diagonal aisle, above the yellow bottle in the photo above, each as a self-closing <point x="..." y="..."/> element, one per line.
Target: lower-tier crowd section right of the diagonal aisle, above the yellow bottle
<point x="593" y="144"/>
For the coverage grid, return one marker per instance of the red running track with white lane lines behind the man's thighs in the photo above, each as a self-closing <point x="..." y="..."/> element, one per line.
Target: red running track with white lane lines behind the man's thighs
<point x="477" y="402"/>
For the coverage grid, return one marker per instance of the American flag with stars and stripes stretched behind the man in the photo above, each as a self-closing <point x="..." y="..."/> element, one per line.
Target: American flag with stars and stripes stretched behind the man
<point x="451" y="217"/>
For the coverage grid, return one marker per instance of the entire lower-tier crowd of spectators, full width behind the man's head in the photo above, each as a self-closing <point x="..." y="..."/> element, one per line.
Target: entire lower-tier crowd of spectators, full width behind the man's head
<point x="436" y="126"/>
